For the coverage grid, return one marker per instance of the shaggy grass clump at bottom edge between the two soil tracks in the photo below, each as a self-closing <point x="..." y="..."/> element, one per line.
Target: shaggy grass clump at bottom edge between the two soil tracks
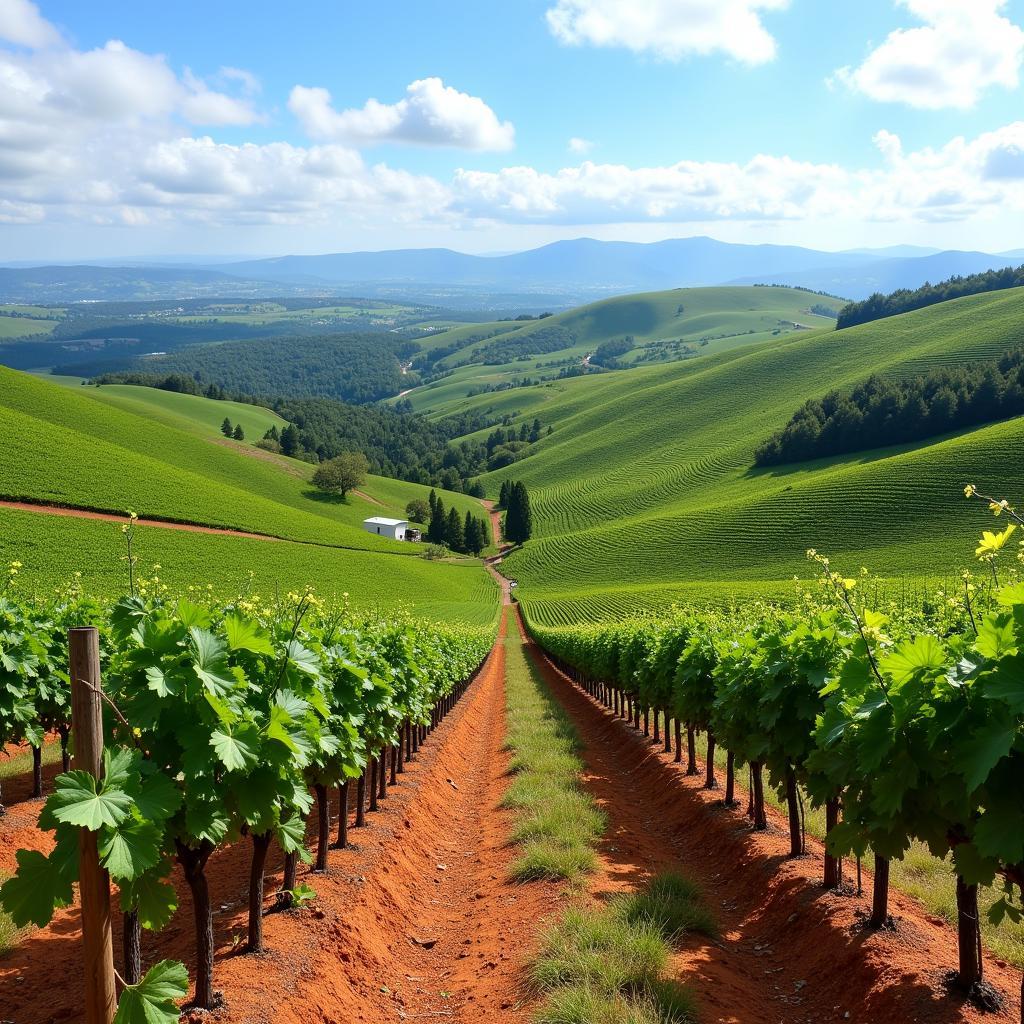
<point x="610" y="967"/>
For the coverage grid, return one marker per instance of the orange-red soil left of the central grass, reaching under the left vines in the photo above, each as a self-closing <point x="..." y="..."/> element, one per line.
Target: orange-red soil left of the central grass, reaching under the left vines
<point x="416" y="921"/>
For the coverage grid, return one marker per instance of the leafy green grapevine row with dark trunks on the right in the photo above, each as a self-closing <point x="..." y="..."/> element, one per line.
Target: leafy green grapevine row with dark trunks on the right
<point x="905" y="729"/>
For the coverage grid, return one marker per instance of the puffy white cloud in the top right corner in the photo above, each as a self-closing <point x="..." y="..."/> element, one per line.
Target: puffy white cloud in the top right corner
<point x="964" y="49"/>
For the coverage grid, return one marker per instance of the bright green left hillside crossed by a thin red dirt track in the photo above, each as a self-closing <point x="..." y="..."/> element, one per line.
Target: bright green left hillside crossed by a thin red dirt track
<point x="88" y="448"/>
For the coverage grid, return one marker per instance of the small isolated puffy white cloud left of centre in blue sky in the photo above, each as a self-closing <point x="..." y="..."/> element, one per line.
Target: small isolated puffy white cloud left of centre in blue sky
<point x="432" y="114"/>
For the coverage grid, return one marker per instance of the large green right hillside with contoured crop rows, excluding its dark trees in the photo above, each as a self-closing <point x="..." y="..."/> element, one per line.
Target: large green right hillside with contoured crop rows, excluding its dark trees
<point x="646" y="492"/>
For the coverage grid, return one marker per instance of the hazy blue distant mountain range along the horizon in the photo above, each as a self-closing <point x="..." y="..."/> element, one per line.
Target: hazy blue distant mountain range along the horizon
<point x="559" y="275"/>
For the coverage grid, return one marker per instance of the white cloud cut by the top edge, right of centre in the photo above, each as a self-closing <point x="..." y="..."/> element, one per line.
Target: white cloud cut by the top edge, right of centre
<point x="670" y="29"/>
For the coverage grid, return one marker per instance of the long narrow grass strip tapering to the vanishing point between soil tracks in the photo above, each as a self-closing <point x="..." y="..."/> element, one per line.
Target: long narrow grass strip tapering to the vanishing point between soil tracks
<point x="558" y="823"/>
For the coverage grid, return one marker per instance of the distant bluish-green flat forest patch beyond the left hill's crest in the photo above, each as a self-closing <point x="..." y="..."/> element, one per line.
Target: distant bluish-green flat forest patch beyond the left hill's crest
<point x="357" y="368"/>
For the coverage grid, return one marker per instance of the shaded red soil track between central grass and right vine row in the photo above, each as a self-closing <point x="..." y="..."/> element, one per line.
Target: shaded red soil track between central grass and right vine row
<point x="789" y="952"/>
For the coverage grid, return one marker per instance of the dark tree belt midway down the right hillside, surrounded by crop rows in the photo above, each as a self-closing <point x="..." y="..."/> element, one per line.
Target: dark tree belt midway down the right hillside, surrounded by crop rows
<point x="883" y="412"/>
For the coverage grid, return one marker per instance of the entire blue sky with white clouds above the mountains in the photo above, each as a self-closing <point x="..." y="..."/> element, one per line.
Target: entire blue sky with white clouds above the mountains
<point x="230" y="127"/>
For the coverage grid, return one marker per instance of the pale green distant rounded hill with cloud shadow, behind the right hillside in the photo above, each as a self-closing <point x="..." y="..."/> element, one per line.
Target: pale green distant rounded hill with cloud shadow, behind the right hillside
<point x="666" y="326"/>
